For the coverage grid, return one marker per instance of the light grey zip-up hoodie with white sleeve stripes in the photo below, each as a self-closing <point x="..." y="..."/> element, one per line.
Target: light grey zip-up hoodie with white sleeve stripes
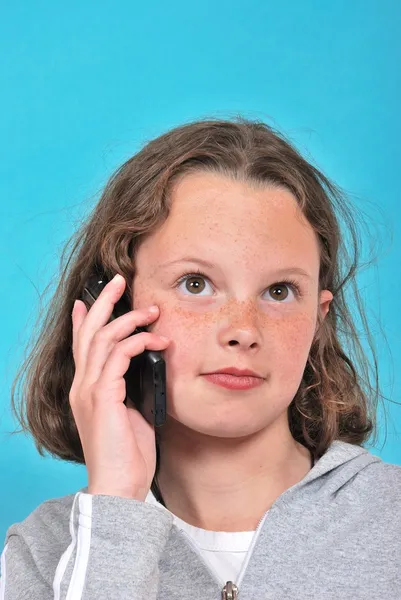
<point x="336" y="534"/>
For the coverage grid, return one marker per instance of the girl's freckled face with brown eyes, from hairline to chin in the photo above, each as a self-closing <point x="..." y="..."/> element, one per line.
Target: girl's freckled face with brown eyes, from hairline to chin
<point x="239" y="312"/>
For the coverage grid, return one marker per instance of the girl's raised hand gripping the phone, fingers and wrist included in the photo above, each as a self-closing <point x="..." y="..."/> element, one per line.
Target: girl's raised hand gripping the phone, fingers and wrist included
<point x="118" y="443"/>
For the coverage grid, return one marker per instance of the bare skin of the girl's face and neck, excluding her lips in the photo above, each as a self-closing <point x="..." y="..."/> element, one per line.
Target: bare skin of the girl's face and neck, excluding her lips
<point x="226" y="455"/>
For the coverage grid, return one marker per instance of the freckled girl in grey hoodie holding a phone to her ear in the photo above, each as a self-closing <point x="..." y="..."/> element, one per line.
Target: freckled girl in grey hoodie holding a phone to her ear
<point x="258" y="484"/>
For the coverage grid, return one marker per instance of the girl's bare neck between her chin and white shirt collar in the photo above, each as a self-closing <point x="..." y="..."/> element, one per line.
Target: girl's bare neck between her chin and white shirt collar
<point x="227" y="484"/>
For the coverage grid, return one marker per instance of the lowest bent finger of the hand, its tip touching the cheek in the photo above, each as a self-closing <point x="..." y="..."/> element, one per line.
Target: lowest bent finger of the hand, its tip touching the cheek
<point x="120" y="357"/>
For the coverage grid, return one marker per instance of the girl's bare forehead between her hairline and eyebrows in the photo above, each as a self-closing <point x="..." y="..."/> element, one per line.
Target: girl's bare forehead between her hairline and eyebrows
<point x="214" y="214"/>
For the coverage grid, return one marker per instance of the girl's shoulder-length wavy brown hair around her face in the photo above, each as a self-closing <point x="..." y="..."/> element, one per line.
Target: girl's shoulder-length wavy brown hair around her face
<point x="335" y="399"/>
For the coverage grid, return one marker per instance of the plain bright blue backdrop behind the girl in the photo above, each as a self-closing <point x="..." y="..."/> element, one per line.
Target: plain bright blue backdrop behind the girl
<point x="84" y="84"/>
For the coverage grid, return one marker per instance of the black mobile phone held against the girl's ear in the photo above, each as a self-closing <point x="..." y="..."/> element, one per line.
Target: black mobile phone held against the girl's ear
<point x="145" y="378"/>
